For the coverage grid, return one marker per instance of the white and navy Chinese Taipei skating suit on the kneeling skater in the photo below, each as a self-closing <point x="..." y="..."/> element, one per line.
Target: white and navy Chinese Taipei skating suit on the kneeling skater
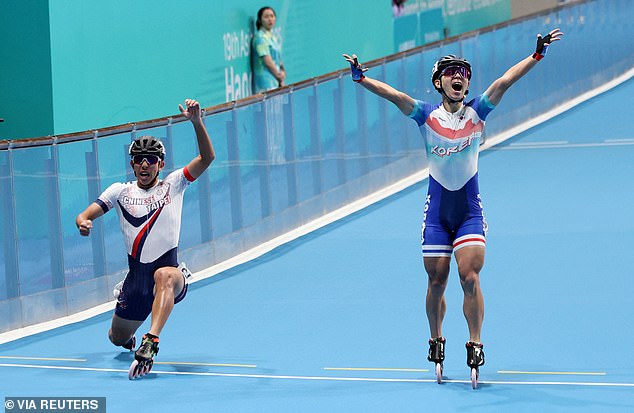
<point x="150" y="220"/>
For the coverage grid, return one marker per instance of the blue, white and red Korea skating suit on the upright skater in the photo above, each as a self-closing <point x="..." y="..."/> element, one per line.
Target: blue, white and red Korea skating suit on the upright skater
<point x="453" y="216"/>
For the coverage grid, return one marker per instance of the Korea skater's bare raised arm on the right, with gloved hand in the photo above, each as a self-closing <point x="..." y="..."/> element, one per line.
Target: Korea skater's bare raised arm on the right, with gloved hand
<point x="501" y="85"/>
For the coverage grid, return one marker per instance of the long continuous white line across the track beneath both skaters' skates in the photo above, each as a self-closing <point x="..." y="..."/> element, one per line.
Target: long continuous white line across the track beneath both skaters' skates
<point x="326" y="378"/>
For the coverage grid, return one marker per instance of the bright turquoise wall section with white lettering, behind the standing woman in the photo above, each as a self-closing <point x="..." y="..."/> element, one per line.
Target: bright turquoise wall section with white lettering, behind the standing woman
<point x="121" y="61"/>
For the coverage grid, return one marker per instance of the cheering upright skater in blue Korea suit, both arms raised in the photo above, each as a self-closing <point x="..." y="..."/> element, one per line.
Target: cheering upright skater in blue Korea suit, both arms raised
<point x="453" y="219"/>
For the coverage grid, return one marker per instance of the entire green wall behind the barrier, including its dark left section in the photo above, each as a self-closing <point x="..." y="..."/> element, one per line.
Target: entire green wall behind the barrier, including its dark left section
<point x="90" y="64"/>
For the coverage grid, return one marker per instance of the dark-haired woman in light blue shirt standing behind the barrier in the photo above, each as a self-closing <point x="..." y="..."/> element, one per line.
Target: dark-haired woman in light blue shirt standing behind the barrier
<point x="268" y="68"/>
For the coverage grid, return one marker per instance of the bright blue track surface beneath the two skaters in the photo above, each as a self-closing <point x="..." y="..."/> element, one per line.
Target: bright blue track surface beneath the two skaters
<point x="302" y="325"/>
